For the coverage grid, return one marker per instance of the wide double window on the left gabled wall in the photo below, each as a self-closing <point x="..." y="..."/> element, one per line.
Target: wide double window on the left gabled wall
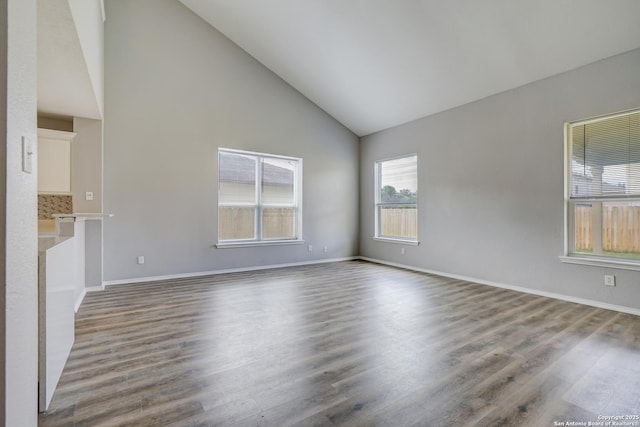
<point x="258" y="198"/>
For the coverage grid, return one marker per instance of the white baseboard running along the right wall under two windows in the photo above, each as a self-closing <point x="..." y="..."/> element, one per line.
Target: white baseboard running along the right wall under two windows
<point x="583" y="301"/>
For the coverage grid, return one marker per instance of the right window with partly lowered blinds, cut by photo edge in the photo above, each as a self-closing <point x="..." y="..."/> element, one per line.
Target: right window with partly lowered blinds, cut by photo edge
<point x="603" y="194"/>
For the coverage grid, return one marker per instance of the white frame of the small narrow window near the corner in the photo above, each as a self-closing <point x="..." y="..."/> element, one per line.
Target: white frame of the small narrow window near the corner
<point x="379" y="204"/>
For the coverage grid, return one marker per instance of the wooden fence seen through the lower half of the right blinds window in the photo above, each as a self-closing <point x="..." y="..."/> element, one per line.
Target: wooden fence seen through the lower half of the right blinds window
<point x="620" y="228"/>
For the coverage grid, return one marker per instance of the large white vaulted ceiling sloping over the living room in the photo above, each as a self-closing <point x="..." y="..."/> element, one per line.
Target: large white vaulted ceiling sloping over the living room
<point x="374" y="64"/>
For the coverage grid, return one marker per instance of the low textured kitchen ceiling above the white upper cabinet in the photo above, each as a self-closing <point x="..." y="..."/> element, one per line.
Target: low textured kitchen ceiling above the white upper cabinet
<point x="64" y="84"/>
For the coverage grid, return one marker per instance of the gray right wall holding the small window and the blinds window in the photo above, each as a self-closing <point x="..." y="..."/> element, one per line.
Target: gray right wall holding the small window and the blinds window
<point x="491" y="184"/>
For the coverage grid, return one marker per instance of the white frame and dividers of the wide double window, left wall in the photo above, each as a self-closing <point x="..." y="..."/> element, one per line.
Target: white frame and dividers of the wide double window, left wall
<point x="259" y="206"/>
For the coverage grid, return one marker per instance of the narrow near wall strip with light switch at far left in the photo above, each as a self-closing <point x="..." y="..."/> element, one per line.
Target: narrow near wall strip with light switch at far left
<point x="18" y="231"/>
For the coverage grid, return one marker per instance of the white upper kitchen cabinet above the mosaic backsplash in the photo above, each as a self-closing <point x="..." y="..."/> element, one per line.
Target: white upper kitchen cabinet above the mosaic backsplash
<point x="54" y="161"/>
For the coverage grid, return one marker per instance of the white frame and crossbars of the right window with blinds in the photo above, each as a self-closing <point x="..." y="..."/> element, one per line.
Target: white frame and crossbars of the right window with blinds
<point x="598" y="258"/>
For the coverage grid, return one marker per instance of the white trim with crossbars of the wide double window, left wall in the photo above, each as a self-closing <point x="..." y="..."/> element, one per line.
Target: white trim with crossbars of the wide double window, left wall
<point x="297" y="205"/>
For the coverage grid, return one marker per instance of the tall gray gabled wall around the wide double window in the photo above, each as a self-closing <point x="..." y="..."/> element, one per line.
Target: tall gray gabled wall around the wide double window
<point x="176" y="90"/>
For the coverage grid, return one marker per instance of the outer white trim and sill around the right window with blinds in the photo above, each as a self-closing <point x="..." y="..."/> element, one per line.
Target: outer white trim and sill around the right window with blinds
<point x="571" y="257"/>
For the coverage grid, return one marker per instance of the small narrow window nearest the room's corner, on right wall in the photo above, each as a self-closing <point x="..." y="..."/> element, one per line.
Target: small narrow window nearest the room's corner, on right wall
<point x="396" y="215"/>
